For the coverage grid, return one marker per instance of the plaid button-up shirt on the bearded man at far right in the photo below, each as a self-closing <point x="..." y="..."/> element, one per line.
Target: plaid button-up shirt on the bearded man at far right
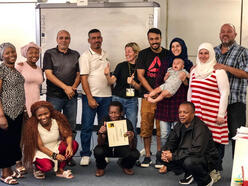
<point x="237" y="57"/>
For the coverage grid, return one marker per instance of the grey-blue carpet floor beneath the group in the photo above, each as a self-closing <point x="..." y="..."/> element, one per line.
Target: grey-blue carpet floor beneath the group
<point x="115" y="177"/>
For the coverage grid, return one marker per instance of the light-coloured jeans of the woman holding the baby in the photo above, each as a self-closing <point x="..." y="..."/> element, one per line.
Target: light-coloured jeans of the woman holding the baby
<point x="165" y="128"/>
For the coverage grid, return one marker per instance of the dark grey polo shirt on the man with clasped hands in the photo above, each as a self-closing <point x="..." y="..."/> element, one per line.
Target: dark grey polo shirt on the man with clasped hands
<point x="64" y="66"/>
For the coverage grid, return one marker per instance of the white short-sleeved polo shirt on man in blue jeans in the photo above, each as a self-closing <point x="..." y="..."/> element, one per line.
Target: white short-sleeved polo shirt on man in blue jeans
<point x="93" y="65"/>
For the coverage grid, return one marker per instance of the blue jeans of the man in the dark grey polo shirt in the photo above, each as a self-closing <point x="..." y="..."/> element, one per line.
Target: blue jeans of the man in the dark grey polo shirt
<point x="69" y="108"/>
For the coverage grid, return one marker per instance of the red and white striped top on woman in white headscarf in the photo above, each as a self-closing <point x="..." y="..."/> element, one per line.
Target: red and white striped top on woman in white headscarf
<point x="206" y="96"/>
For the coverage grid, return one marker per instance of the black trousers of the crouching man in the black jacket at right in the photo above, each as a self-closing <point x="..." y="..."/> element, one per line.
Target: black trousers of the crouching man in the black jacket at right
<point x="196" y="166"/>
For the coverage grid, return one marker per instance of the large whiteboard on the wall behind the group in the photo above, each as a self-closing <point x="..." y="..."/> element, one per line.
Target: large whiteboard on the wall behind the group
<point x="119" y="24"/>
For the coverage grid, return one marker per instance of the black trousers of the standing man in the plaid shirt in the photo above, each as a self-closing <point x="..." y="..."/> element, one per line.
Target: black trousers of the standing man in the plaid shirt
<point x="236" y="117"/>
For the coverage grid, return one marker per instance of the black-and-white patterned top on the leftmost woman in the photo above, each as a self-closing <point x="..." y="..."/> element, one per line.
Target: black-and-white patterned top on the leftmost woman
<point x="12" y="95"/>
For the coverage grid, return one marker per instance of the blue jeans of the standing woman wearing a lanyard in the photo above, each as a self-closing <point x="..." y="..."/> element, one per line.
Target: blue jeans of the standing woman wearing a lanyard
<point x="130" y="109"/>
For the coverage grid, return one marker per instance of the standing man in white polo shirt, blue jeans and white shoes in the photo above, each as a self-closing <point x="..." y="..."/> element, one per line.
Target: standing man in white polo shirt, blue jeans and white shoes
<point x="96" y="91"/>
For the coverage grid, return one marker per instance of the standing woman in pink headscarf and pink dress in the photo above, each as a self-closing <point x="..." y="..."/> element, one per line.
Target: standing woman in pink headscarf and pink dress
<point x="32" y="74"/>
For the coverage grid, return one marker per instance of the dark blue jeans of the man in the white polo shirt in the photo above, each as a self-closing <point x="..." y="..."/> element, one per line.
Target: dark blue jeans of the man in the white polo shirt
<point x="88" y="117"/>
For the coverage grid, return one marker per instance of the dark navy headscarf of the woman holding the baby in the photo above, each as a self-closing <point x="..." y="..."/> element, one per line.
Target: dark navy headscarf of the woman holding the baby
<point x="184" y="54"/>
